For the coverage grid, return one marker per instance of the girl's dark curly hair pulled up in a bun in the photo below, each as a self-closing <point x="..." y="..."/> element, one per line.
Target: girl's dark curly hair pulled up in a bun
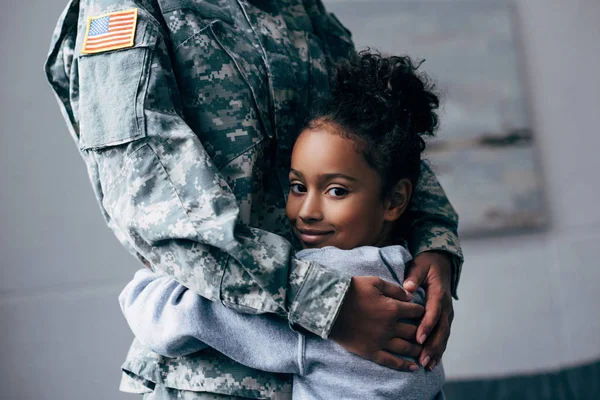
<point x="386" y="106"/>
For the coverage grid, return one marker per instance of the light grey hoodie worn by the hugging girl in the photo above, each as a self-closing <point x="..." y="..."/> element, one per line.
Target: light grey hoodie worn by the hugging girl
<point x="173" y="321"/>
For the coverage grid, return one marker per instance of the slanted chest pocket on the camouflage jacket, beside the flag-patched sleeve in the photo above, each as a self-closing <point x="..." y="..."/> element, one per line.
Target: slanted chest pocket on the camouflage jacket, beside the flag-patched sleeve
<point x="225" y="98"/>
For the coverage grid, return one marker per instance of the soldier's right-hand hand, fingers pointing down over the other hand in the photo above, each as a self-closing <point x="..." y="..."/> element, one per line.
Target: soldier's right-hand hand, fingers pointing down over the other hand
<point x="431" y="270"/>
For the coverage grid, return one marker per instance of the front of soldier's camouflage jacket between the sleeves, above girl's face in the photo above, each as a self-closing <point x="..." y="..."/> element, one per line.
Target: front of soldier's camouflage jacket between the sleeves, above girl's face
<point x="245" y="73"/>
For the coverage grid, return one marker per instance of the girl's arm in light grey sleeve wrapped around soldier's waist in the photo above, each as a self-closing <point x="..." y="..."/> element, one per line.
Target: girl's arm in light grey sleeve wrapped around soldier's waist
<point x="173" y="321"/>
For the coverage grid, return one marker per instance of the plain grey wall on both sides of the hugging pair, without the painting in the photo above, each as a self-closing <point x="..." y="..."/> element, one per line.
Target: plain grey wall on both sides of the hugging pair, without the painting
<point x="528" y="302"/>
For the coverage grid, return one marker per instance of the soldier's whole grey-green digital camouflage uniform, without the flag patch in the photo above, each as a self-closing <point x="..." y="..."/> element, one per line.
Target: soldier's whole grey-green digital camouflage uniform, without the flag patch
<point x="187" y="137"/>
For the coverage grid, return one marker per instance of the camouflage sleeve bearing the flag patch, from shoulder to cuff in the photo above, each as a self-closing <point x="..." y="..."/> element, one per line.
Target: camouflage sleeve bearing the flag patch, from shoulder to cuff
<point x="161" y="193"/>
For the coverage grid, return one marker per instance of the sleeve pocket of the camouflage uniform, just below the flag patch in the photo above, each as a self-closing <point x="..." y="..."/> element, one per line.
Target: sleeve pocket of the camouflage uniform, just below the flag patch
<point x="112" y="89"/>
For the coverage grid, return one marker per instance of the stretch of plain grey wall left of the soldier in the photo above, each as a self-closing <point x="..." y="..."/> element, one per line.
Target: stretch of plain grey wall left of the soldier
<point x="61" y="332"/>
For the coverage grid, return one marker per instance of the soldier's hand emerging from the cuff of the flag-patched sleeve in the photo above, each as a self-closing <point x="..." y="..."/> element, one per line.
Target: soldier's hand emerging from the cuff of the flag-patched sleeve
<point x="368" y="326"/>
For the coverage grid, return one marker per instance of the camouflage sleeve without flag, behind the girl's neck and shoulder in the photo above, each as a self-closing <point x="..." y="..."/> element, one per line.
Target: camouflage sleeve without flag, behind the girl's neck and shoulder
<point x="433" y="222"/>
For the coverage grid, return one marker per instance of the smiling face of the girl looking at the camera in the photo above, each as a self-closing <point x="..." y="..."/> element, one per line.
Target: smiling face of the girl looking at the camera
<point x="334" y="197"/>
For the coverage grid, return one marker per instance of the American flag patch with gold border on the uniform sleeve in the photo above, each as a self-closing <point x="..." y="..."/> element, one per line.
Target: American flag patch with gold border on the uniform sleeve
<point x="110" y="31"/>
